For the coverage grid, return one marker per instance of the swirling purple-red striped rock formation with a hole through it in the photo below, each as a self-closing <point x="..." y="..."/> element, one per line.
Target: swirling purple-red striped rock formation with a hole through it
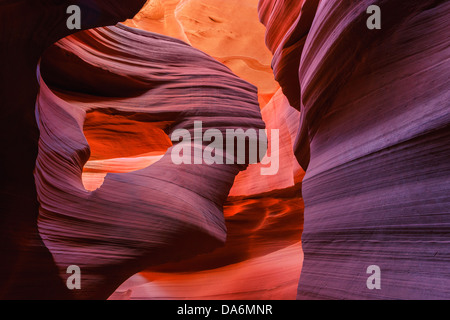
<point x="163" y="212"/>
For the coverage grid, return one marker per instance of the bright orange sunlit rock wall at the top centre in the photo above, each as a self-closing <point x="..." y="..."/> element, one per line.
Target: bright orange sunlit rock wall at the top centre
<point x="229" y="31"/>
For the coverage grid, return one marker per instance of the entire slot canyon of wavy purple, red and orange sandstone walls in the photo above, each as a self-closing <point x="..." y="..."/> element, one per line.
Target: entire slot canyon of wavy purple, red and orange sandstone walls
<point x="363" y="126"/>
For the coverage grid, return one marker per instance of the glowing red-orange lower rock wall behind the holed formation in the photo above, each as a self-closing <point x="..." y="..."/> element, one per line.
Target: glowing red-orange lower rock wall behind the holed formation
<point x="262" y="257"/>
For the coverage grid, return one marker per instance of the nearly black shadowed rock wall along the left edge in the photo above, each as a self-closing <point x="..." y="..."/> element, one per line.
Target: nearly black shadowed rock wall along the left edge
<point x="27" y="28"/>
